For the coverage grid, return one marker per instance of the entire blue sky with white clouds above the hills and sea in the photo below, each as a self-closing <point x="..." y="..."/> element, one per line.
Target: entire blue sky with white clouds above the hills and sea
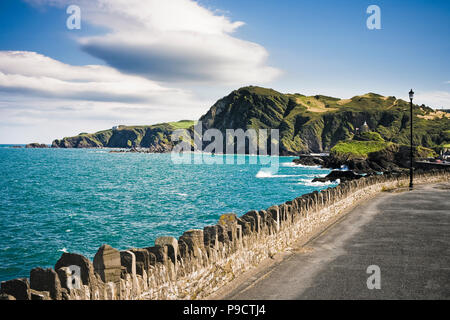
<point x="150" y="61"/>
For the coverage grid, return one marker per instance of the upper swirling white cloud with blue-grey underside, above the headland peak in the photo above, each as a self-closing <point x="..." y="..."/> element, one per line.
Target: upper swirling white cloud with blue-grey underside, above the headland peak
<point x="176" y="40"/>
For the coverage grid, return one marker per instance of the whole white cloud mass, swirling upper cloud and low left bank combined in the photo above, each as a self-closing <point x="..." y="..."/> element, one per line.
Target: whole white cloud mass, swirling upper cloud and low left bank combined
<point x="152" y="48"/>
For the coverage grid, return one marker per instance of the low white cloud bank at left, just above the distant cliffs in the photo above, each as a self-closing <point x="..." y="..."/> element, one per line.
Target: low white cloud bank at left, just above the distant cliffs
<point x="52" y="99"/>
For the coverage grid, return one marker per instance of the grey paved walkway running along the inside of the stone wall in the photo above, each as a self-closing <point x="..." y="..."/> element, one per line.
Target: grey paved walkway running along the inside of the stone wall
<point x="406" y="234"/>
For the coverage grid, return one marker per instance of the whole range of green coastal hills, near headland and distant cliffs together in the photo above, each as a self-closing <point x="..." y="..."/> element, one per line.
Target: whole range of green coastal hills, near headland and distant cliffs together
<point x="306" y="123"/>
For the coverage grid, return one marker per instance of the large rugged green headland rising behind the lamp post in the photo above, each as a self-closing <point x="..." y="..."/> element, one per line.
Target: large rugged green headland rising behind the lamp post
<point x="317" y="123"/>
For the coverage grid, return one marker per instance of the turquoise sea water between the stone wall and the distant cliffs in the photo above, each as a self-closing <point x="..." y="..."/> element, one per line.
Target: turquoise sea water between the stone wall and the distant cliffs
<point x="75" y="200"/>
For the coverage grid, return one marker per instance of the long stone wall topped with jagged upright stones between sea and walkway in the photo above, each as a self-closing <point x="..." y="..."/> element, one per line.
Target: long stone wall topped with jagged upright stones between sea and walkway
<point x="200" y="261"/>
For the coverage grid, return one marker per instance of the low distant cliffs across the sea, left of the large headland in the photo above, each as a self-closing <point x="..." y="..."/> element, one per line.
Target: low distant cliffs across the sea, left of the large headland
<point x="156" y="137"/>
